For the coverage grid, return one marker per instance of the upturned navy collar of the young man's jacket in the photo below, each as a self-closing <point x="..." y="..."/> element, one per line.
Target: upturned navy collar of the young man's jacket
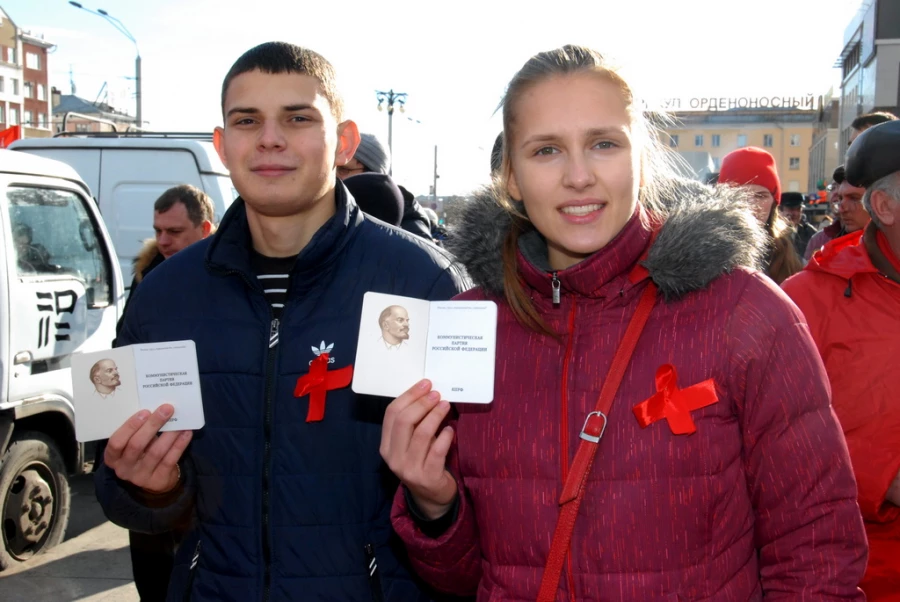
<point x="229" y="250"/>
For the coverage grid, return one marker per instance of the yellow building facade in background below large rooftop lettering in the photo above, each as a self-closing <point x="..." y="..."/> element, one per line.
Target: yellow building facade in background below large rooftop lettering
<point x="786" y="133"/>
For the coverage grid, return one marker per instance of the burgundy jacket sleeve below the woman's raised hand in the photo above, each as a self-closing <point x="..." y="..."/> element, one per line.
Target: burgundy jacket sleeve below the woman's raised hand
<point x="450" y="563"/>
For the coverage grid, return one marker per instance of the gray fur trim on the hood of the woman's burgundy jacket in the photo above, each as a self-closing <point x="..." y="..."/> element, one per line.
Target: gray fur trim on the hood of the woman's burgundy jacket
<point x="707" y="232"/>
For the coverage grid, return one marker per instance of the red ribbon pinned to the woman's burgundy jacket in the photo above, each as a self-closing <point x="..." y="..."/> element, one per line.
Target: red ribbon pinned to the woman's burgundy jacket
<point x="674" y="404"/>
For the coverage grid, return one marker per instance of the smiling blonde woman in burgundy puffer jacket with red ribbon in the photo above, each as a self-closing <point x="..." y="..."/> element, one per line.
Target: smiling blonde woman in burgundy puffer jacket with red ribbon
<point x="712" y="474"/>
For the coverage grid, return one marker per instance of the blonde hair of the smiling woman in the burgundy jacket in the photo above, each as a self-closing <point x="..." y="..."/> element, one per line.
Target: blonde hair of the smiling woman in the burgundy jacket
<point x="656" y="161"/>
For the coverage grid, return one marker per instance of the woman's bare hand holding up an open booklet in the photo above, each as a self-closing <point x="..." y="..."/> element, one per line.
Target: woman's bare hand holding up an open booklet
<point x="415" y="452"/>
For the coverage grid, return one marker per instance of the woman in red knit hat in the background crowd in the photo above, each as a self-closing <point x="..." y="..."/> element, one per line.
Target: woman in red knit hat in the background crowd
<point x="755" y="168"/>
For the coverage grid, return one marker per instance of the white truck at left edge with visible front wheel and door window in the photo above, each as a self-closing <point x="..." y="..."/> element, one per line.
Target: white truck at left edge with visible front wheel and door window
<point x="61" y="292"/>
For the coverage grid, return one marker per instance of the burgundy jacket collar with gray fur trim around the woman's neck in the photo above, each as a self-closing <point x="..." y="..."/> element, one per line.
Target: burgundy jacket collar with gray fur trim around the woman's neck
<point x="704" y="232"/>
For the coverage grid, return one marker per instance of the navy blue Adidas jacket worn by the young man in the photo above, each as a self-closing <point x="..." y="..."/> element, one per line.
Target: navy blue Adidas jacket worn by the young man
<point x="281" y="509"/>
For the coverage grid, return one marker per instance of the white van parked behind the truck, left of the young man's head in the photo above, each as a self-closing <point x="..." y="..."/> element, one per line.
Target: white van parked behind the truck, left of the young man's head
<point x="128" y="171"/>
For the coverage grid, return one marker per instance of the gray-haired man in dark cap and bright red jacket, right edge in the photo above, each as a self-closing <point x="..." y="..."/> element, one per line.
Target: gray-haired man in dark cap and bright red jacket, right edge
<point x="850" y="295"/>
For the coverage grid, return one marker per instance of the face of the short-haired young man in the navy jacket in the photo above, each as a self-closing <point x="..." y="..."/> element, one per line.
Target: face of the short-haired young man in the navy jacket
<point x="282" y="143"/>
